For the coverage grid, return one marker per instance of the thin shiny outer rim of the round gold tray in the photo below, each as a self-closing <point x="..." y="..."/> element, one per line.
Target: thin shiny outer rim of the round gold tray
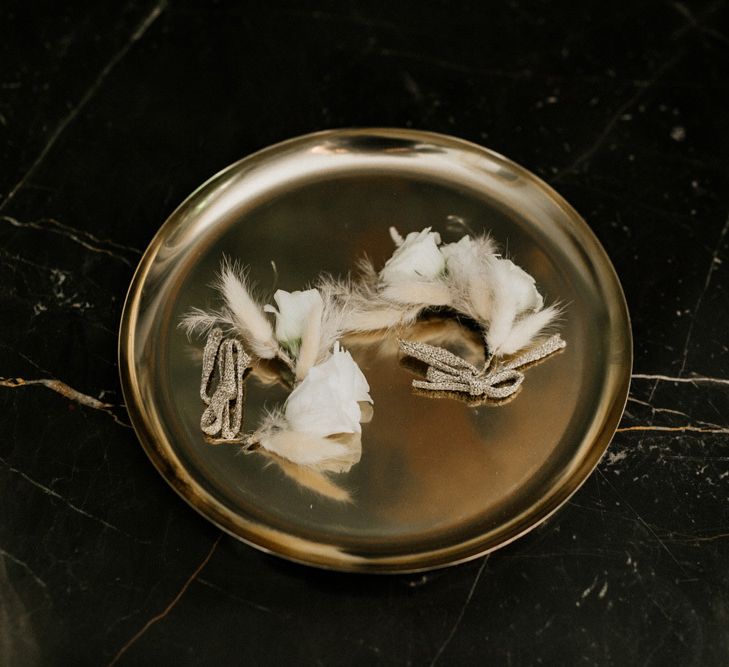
<point x="316" y="554"/>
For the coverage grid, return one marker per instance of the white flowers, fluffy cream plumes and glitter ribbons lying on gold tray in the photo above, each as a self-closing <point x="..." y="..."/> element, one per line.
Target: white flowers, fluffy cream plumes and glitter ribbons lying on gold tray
<point x="299" y="342"/>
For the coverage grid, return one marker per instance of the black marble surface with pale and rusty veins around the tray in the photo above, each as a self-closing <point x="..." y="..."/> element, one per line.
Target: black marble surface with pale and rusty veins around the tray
<point x="110" y="114"/>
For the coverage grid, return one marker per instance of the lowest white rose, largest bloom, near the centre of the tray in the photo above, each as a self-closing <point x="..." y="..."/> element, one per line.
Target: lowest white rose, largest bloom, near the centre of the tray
<point x="327" y="401"/>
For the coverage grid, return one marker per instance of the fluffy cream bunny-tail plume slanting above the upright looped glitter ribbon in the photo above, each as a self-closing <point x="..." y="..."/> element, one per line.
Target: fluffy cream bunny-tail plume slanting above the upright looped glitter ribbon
<point x="247" y="314"/>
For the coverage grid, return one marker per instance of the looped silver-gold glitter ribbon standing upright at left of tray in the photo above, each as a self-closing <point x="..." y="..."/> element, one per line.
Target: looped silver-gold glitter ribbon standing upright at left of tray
<point x="224" y="412"/>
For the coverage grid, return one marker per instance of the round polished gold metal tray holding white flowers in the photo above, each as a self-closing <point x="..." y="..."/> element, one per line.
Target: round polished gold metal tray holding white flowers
<point x="440" y="481"/>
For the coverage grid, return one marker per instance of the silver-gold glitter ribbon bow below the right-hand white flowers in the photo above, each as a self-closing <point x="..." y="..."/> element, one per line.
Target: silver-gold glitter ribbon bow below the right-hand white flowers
<point x="448" y="372"/>
